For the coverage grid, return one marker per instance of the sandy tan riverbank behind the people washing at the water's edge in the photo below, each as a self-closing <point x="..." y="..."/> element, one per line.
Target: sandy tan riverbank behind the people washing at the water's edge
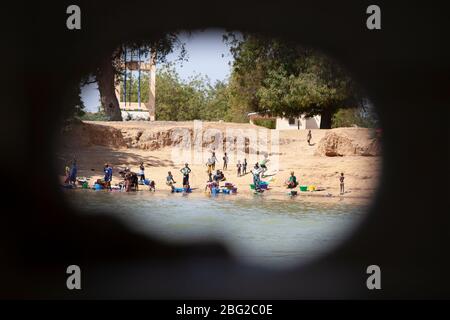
<point x="126" y="144"/>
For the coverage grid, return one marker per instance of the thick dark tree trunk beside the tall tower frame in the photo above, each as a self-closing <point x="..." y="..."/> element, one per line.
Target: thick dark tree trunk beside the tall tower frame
<point x="105" y="80"/>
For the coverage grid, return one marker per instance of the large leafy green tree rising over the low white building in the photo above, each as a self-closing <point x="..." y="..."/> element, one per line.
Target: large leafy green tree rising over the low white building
<point x="281" y="78"/>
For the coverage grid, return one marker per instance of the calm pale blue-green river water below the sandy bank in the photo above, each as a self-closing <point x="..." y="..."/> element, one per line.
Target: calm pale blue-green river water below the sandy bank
<point x="274" y="232"/>
